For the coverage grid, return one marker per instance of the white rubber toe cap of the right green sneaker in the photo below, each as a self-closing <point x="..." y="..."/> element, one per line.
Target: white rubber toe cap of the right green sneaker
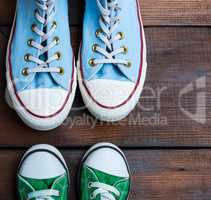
<point x="108" y="160"/>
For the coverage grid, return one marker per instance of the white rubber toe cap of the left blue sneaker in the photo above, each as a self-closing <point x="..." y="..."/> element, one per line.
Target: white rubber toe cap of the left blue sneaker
<point x="43" y="102"/>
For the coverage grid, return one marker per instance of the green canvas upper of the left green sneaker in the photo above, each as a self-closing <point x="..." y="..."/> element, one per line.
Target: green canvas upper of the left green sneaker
<point x="27" y="185"/>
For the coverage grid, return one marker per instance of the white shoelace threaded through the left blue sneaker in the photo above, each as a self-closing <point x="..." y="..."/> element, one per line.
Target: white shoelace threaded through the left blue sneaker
<point x="44" y="14"/>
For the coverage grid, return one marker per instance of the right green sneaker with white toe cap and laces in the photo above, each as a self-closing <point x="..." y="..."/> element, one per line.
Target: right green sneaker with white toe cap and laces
<point x="104" y="174"/>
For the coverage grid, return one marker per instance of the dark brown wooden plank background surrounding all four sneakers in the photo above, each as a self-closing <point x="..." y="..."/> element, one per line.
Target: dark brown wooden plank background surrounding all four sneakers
<point x="169" y="152"/>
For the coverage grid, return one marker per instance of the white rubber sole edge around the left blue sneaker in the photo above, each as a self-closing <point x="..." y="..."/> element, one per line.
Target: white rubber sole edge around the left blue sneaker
<point x="41" y="124"/>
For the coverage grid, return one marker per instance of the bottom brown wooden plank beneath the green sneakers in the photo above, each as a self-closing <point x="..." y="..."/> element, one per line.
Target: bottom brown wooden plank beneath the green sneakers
<point x="156" y="175"/>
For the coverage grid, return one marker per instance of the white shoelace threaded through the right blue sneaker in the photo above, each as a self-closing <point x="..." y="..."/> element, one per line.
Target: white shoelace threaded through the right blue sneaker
<point x="109" y="22"/>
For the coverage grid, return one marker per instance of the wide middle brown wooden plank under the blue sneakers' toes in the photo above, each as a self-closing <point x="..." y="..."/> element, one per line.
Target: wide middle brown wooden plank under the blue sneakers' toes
<point x="176" y="57"/>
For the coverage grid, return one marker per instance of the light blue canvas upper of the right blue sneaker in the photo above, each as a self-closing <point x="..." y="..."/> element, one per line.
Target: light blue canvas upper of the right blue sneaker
<point x="130" y="25"/>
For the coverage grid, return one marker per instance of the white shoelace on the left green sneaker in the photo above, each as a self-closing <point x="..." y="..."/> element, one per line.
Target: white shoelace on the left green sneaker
<point x="43" y="195"/>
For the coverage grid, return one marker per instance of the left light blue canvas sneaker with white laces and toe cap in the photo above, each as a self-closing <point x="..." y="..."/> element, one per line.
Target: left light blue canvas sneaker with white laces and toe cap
<point x="41" y="77"/>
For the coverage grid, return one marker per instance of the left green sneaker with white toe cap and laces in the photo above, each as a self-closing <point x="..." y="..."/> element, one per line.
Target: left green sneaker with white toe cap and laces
<point x="43" y="175"/>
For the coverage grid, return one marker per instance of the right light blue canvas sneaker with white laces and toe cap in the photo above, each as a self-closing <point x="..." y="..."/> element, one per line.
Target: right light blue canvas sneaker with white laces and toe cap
<point x="112" y="61"/>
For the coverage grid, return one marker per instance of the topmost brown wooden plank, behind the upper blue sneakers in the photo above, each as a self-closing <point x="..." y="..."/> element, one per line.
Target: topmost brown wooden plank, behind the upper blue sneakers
<point x="155" y="12"/>
